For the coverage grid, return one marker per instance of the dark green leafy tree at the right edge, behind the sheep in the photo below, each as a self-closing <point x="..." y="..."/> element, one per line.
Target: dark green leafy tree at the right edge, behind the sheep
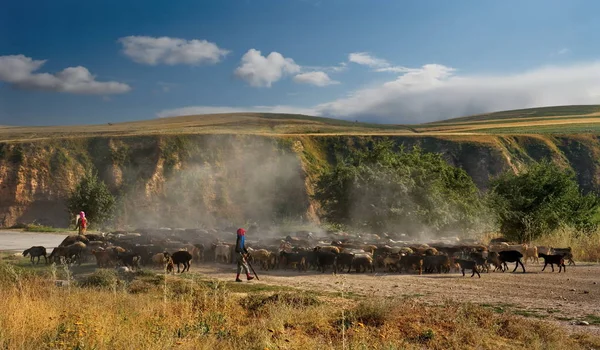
<point x="540" y="200"/>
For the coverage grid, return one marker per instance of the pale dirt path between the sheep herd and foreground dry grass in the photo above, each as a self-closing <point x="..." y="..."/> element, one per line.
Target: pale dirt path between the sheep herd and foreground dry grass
<point x="545" y="295"/>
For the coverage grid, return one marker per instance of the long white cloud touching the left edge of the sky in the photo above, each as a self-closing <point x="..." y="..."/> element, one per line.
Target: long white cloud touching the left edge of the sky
<point x="18" y="71"/>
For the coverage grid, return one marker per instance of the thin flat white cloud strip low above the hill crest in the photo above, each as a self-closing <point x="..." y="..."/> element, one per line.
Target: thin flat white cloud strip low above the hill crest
<point x="196" y="110"/>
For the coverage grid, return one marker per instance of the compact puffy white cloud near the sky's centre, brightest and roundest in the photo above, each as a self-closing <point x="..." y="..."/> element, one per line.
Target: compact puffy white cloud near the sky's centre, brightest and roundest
<point x="261" y="71"/>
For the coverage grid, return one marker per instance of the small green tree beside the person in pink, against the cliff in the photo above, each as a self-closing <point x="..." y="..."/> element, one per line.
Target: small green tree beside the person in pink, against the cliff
<point x="92" y="197"/>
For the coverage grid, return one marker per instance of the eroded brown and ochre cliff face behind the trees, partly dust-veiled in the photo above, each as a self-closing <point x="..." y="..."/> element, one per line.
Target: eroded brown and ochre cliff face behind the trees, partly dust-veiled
<point x="193" y="180"/>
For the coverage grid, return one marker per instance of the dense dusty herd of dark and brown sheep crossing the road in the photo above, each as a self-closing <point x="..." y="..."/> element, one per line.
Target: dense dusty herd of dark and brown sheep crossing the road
<point x="336" y="252"/>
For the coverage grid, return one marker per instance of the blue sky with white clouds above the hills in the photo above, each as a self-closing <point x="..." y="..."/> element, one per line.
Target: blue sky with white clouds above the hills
<point x="386" y="61"/>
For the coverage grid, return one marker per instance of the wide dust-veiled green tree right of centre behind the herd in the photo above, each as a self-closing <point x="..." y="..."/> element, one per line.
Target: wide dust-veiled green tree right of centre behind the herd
<point x="384" y="189"/>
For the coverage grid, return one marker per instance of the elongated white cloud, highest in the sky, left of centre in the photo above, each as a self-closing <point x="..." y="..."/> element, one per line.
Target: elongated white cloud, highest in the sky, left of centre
<point x="171" y="51"/>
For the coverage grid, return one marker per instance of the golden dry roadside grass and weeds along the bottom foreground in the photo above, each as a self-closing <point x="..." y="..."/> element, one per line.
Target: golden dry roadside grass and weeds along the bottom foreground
<point x="155" y="311"/>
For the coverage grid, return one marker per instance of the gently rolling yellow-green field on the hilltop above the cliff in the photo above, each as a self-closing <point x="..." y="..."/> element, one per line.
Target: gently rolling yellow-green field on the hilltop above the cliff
<point x="546" y="120"/>
